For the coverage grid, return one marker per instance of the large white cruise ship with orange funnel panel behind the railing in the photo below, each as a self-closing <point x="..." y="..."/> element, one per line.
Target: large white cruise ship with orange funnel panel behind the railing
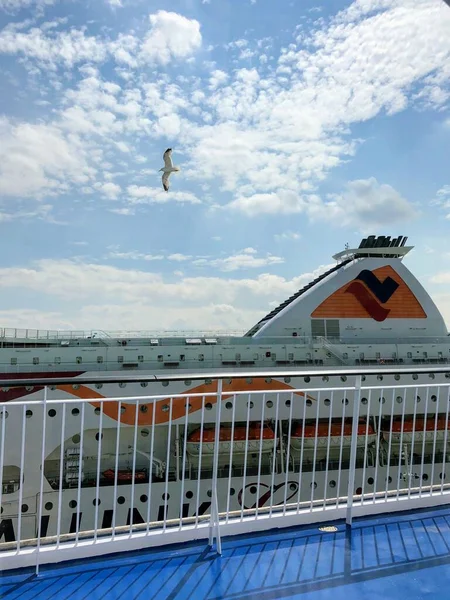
<point x="140" y="461"/>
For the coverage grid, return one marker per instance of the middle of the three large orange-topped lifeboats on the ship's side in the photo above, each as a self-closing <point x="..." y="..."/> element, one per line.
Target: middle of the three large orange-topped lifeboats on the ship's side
<point x="336" y="433"/>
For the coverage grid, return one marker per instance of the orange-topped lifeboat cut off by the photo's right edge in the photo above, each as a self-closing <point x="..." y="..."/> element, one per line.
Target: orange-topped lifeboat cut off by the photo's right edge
<point x="422" y="428"/>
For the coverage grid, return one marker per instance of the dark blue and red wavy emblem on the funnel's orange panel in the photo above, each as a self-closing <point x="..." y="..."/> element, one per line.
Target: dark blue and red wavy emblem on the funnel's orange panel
<point x="382" y="290"/>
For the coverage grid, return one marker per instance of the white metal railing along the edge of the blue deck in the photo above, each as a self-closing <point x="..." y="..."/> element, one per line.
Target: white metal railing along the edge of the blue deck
<point x="85" y="474"/>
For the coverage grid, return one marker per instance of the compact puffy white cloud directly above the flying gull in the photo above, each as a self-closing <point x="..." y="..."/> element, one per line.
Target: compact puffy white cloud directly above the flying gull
<point x="171" y="36"/>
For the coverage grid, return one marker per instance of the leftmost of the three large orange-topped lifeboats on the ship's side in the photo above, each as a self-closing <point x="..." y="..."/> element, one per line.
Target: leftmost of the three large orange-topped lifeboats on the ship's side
<point x="240" y="440"/>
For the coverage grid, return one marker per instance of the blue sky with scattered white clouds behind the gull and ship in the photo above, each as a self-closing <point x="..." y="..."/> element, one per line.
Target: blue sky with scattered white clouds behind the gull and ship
<point x="298" y="127"/>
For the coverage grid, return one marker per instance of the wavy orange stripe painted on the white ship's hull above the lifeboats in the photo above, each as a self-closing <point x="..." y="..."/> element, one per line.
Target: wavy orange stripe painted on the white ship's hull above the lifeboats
<point x="128" y="417"/>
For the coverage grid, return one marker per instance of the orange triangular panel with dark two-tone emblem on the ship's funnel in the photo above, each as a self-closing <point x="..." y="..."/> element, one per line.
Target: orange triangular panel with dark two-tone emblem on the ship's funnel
<point x="379" y="294"/>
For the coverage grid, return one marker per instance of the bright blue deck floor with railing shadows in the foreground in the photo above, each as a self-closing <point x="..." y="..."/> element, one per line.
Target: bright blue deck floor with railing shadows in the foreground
<point x="402" y="556"/>
